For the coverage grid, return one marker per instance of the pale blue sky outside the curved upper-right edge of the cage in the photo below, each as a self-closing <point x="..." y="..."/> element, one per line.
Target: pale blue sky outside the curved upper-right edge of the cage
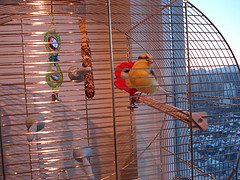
<point x="225" y="15"/>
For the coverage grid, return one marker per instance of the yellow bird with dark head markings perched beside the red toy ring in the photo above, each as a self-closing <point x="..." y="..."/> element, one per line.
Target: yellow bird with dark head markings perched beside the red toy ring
<point x="141" y="76"/>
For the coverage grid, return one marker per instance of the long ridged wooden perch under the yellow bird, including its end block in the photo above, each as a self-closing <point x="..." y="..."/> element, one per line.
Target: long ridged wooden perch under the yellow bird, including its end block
<point x="198" y="119"/>
